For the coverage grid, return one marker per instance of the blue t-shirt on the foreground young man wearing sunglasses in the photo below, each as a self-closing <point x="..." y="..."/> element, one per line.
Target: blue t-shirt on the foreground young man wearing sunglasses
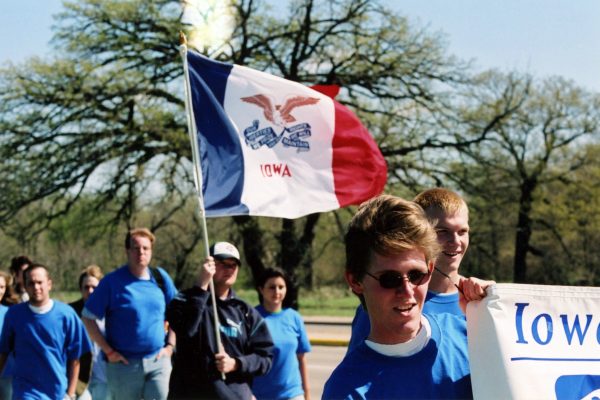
<point x="439" y="370"/>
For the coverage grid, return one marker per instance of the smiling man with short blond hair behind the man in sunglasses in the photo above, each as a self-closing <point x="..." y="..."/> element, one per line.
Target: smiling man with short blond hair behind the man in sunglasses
<point x="449" y="212"/>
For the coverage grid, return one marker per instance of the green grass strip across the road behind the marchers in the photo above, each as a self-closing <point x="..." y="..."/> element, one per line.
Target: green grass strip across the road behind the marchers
<point x="324" y="301"/>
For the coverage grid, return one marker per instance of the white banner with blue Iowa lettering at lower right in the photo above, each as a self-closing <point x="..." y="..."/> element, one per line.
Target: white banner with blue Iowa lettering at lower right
<point x="535" y="342"/>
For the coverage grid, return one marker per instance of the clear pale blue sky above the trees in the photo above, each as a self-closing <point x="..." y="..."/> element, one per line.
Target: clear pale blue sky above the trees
<point x="542" y="37"/>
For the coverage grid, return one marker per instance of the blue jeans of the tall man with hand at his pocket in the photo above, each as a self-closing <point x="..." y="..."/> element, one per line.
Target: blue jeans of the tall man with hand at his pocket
<point x="145" y="378"/>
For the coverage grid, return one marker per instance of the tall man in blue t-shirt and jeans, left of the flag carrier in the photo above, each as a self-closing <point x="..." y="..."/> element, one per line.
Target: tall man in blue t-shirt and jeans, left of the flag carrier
<point x="132" y="301"/>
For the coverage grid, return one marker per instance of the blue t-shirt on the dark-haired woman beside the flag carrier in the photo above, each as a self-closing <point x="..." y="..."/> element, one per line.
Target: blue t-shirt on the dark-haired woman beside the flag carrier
<point x="283" y="381"/>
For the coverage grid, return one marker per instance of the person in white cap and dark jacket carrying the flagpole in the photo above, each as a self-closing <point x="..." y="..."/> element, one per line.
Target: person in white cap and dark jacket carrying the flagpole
<point x="202" y="370"/>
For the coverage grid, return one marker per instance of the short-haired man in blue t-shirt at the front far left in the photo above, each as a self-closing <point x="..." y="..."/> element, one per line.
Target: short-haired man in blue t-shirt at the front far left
<point x="46" y="339"/>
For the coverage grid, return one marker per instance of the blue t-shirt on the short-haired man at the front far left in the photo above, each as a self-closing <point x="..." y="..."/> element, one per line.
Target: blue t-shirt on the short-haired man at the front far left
<point x="42" y="344"/>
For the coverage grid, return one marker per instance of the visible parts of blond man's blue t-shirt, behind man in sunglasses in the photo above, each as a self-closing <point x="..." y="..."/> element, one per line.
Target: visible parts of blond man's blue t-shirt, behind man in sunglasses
<point x="435" y="303"/>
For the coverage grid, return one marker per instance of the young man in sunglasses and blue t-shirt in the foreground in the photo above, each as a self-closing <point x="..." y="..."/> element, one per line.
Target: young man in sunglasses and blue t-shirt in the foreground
<point x="390" y="253"/>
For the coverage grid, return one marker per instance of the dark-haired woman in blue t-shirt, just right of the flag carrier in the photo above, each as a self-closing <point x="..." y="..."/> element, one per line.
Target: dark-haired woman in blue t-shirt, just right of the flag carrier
<point x="288" y="377"/>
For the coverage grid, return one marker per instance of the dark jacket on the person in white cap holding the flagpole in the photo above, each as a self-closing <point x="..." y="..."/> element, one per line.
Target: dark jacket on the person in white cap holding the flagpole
<point x="244" y="335"/>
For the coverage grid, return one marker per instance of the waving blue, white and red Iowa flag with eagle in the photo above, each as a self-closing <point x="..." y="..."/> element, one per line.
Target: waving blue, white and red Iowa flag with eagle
<point x="273" y="147"/>
